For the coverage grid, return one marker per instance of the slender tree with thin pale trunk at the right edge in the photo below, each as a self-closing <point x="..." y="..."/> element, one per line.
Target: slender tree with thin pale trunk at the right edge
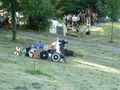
<point x="110" y="8"/>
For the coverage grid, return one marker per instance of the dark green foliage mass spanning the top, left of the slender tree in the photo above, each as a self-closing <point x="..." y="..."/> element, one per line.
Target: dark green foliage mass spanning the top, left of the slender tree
<point x="37" y="12"/>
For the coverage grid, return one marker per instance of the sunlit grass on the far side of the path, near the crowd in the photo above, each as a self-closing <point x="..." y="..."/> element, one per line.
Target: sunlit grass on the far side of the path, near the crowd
<point x="100" y="33"/>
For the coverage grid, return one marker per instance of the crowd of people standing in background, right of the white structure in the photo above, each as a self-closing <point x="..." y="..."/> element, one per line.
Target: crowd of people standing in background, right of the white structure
<point x="82" y="18"/>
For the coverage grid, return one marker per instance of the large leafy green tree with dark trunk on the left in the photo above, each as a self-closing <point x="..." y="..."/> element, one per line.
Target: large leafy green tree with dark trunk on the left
<point x="38" y="11"/>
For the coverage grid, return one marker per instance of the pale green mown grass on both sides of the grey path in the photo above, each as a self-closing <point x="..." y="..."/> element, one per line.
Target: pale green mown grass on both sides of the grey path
<point x="93" y="69"/>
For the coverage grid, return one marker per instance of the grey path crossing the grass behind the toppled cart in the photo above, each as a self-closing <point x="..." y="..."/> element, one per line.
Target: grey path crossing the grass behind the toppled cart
<point x="72" y="42"/>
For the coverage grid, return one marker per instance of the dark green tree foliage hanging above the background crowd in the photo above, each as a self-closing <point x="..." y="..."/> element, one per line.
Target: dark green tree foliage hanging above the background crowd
<point x="60" y="7"/>
